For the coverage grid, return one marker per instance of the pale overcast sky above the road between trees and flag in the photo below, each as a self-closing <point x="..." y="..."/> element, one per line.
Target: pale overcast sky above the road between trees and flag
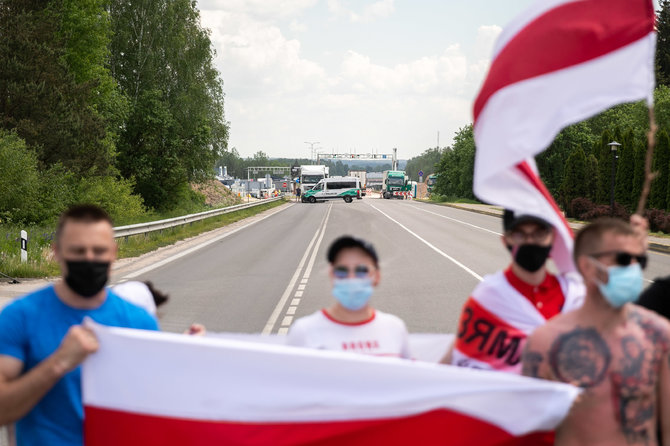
<point x="355" y="75"/>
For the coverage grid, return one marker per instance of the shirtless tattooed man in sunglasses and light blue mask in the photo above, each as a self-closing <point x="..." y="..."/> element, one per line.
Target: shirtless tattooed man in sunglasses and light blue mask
<point x="616" y="351"/>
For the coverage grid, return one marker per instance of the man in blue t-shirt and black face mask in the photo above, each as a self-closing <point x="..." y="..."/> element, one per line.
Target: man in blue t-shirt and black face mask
<point x="42" y="341"/>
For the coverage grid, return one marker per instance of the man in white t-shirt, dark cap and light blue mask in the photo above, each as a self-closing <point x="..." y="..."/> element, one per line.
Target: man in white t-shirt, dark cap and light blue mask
<point x="350" y="324"/>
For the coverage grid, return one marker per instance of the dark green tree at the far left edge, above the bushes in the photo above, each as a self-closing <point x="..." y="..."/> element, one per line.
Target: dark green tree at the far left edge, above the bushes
<point x="40" y="95"/>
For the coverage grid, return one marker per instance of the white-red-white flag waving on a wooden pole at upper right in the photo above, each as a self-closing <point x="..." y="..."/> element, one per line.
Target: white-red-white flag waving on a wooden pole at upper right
<point x="559" y="62"/>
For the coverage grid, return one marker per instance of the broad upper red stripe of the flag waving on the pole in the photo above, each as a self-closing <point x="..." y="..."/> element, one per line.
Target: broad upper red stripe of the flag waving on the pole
<point x="567" y="35"/>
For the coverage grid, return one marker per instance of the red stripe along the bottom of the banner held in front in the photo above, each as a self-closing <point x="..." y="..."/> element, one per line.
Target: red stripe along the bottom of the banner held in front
<point x="105" y="427"/>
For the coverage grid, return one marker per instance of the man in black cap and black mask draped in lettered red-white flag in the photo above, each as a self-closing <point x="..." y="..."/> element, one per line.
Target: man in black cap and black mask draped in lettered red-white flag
<point x="508" y="305"/>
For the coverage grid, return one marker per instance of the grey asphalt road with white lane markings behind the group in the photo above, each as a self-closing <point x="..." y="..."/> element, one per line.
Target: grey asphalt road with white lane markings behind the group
<point x="261" y="278"/>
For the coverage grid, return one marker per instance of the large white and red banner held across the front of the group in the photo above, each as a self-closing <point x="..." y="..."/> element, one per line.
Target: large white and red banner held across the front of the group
<point x="150" y="388"/>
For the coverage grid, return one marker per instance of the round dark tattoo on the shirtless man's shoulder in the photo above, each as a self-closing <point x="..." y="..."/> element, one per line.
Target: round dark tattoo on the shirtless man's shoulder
<point x="580" y="357"/>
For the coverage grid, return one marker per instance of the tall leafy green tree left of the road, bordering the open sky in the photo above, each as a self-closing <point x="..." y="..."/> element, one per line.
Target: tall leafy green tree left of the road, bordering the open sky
<point x="163" y="61"/>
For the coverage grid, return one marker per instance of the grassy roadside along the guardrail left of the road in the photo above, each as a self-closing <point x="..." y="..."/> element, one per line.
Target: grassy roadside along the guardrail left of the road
<point x="41" y="264"/>
